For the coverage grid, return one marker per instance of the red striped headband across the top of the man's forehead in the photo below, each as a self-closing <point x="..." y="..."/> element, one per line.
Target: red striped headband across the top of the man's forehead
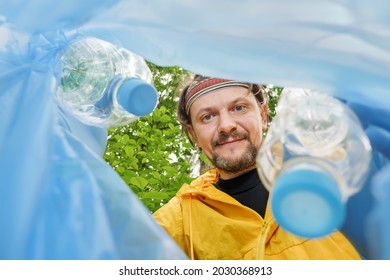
<point x="198" y="88"/>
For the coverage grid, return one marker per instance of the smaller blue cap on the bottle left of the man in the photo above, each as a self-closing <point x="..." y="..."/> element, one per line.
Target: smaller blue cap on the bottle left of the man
<point x="137" y="97"/>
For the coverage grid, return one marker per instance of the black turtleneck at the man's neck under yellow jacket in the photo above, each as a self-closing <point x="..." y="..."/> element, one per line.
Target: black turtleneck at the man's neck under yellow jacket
<point x="246" y="189"/>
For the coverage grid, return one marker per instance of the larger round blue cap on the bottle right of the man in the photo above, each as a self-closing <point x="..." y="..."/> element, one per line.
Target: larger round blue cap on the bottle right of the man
<point x="307" y="203"/>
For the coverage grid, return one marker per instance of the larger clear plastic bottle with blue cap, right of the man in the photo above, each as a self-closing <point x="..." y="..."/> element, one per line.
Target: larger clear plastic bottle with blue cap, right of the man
<point x="314" y="157"/>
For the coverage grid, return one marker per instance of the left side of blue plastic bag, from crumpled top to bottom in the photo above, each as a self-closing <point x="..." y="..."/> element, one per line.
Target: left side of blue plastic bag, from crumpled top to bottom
<point x="59" y="198"/>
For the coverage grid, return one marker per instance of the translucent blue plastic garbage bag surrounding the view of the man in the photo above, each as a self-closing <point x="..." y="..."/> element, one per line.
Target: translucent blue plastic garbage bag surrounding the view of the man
<point x="340" y="47"/>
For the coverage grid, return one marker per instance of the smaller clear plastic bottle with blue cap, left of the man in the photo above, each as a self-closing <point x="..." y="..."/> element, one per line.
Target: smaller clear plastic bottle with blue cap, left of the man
<point x="103" y="84"/>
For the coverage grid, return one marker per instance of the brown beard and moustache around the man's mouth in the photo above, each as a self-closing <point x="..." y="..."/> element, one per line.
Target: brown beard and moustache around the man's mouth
<point x="243" y="162"/>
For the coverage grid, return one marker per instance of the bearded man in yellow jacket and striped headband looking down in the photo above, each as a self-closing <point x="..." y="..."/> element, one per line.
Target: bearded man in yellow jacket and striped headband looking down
<point x="223" y="214"/>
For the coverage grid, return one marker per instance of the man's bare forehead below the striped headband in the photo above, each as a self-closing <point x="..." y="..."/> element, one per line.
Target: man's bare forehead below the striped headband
<point x="221" y="98"/>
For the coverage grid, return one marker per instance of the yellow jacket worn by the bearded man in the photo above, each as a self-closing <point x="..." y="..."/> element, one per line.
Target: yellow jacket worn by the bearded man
<point x="209" y="224"/>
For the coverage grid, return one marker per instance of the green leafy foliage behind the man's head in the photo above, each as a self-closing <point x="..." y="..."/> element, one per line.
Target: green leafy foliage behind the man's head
<point x="152" y="155"/>
